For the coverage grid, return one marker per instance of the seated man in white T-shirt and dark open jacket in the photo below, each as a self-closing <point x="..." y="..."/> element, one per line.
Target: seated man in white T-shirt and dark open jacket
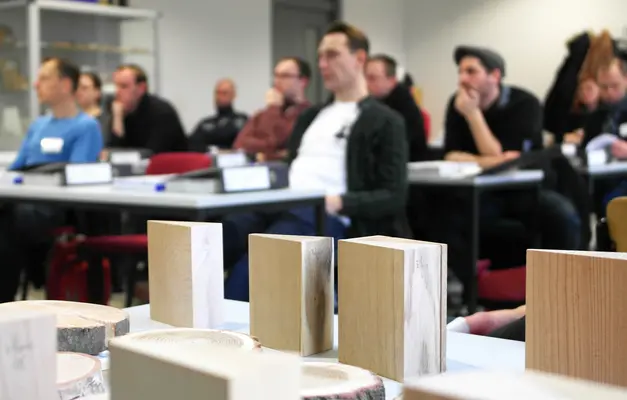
<point x="354" y="149"/>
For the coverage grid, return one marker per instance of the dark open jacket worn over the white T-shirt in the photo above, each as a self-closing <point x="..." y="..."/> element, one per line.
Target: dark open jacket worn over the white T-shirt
<point x="376" y="169"/>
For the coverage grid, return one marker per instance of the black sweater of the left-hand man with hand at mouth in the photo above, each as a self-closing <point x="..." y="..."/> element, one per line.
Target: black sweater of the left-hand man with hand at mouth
<point x="154" y="125"/>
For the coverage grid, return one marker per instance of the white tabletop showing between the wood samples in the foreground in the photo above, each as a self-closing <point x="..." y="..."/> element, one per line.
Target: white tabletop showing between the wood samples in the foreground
<point x="463" y="352"/>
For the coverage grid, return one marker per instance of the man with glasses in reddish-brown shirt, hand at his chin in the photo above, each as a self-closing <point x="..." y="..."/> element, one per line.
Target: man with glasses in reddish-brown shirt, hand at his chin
<point x="266" y="134"/>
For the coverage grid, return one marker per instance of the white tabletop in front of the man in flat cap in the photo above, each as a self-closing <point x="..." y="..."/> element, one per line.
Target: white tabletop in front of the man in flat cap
<point x="524" y="176"/>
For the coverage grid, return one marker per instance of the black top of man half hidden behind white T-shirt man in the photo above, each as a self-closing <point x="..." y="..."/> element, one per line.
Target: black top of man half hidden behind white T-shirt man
<point x="401" y="101"/>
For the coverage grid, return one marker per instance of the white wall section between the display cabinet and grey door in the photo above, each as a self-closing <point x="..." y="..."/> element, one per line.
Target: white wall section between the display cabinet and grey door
<point x="203" y="41"/>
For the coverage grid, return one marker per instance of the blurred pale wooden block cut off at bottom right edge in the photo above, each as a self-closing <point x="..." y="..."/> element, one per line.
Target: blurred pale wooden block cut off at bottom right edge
<point x="488" y="385"/>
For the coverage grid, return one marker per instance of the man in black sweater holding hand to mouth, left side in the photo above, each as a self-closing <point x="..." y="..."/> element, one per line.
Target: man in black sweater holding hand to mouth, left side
<point x="142" y="120"/>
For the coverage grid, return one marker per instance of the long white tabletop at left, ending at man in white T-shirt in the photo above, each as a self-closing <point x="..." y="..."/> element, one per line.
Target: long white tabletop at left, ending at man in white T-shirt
<point x="106" y="194"/>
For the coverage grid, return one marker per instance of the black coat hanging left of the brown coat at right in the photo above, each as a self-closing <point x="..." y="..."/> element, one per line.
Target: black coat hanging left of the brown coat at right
<point x="559" y="100"/>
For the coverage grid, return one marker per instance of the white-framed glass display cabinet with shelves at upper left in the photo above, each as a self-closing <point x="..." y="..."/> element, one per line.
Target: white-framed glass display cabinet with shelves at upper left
<point x="96" y="37"/>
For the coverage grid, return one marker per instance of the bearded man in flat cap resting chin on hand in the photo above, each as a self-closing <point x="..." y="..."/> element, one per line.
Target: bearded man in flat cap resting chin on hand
<point x="489" y="123"/>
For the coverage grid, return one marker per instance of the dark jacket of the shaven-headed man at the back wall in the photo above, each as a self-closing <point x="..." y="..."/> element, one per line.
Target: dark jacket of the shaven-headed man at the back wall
<point x="219" y="130"/>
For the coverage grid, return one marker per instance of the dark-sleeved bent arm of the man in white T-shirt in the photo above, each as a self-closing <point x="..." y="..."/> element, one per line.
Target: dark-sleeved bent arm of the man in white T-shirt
<point x="391" y="175"/>
